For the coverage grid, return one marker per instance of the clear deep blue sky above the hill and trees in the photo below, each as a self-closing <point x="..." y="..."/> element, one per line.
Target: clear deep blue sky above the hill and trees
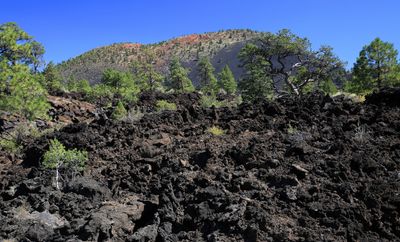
<point x="70" y="27"/>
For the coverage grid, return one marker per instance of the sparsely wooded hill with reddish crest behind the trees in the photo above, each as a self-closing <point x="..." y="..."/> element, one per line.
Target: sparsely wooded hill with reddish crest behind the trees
<point x="221" y="47"/>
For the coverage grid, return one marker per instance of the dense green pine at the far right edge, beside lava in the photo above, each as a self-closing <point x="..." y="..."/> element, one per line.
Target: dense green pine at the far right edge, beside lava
<point x="377" y="66"/>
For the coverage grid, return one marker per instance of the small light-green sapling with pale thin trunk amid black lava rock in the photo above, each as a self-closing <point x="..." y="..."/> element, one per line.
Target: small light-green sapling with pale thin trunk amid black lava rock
<point x="57" y="157"/>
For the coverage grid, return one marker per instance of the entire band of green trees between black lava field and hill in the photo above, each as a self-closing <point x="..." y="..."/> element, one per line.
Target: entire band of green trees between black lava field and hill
<point x="275" y="65"/>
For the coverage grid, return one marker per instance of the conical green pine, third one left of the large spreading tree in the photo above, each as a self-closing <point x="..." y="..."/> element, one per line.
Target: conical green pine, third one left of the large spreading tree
<point x="178" y="77"/>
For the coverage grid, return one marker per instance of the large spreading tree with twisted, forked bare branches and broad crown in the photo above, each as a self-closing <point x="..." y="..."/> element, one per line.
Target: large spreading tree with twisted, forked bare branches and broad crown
<point x="289" y="62"/>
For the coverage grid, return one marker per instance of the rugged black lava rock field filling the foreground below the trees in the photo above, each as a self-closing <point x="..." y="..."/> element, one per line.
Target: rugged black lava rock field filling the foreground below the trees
<point x="310" y="169"/>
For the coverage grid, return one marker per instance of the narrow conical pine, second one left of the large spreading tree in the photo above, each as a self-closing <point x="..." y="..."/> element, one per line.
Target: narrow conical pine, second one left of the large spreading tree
<point x="209" y="83"/>
